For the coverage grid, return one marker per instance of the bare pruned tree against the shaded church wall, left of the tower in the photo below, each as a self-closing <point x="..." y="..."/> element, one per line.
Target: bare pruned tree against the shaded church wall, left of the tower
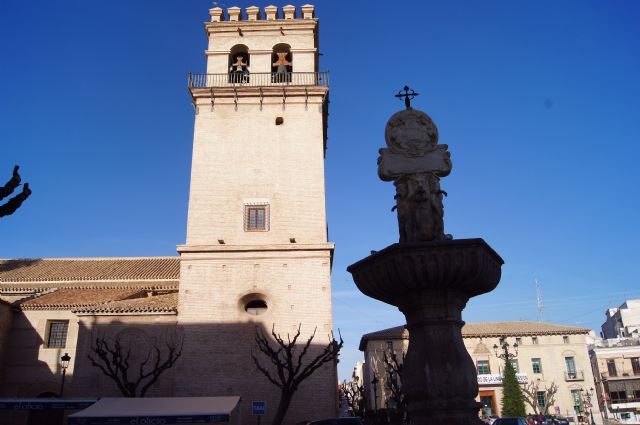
<point x="133" y="378"/>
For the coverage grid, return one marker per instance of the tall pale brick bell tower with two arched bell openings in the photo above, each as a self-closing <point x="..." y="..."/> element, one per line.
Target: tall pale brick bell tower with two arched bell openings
<point x="256" y="253"/>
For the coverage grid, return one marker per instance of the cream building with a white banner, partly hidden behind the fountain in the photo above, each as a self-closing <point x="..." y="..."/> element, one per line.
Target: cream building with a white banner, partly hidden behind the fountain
<point x="547" y="355"/>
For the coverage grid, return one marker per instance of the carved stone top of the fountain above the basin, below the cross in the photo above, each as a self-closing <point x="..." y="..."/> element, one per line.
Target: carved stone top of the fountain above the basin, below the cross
<point x="415" y="161"/>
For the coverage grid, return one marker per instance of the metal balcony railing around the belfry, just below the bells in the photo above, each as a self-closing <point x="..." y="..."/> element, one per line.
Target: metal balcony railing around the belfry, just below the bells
<point x="259" y="79"/>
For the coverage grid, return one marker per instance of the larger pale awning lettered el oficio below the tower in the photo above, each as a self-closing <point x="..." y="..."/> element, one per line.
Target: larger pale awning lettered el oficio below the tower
<point x="160" y="410"/>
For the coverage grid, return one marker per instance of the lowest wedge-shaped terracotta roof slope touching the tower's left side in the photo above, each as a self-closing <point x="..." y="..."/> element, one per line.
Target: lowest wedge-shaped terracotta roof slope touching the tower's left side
<point x="153" y="304"/>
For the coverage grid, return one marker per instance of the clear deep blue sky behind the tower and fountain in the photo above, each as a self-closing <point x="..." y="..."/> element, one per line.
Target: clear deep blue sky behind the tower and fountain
<point x="538" y="101"/>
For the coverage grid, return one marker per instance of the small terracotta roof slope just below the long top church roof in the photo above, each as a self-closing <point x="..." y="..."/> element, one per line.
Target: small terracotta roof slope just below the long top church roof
<point x="63" y="299"/>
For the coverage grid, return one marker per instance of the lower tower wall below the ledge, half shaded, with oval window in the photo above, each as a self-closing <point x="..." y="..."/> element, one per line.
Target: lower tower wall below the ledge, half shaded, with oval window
<point x="220" y="334"/>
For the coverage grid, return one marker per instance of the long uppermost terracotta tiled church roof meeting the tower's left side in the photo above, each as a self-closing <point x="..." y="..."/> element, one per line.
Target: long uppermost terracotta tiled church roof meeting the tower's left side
<point x="88" y="269"/>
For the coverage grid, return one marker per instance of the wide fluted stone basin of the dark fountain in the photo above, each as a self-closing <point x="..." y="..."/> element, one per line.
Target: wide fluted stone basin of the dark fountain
<point x="462" y="265"/>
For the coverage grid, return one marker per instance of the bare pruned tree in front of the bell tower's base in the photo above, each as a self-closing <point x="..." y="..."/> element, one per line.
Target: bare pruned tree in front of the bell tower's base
<point x="287" y="358"/>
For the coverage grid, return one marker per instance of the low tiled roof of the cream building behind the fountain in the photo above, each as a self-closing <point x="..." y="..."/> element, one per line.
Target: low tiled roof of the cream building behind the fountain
<point x="484" y="329"/>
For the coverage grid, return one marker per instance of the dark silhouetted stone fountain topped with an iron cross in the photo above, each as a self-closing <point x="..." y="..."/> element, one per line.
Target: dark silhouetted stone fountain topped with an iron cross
<point x="428" y="275"/>
